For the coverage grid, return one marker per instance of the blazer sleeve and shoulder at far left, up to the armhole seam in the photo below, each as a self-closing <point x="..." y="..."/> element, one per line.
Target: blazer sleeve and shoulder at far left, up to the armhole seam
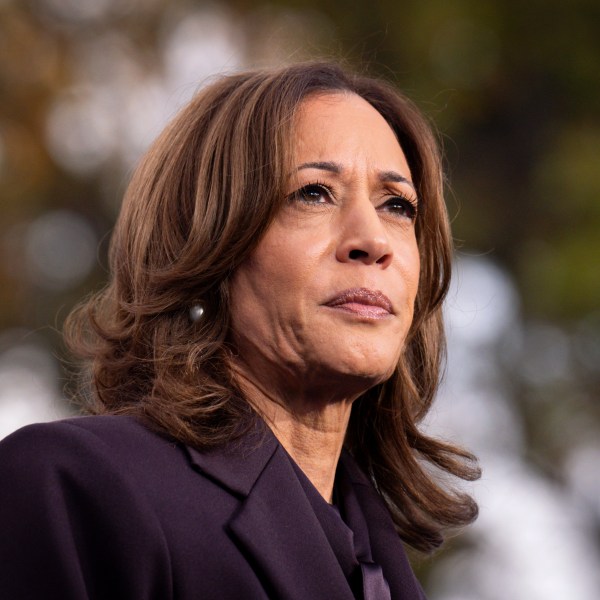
<point x="72" y="509"/>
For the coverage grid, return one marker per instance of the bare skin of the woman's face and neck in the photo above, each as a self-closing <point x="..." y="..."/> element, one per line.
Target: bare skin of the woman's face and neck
<point x="306" y="348"/>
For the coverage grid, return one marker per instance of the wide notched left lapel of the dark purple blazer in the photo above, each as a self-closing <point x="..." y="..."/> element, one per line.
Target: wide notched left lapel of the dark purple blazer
<point x="275" y="525"/>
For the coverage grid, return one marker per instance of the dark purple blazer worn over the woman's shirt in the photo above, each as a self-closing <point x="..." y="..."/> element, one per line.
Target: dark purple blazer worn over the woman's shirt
<point x="102" y="508"/>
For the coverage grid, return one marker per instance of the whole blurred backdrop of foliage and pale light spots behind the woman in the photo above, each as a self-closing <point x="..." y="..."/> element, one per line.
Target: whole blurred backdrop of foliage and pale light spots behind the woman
<point x="514" y="90"/>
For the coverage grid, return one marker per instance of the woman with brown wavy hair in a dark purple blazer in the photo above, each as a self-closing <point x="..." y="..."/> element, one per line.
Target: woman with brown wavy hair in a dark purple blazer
<point x="270" y="337"/>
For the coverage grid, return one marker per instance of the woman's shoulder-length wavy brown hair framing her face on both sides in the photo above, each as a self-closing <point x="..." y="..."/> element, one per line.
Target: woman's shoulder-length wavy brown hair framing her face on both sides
<point x="196" y="207"/>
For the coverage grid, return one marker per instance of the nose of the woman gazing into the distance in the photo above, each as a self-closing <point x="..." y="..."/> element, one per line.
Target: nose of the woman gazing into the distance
<point x="363" y="236"/>
